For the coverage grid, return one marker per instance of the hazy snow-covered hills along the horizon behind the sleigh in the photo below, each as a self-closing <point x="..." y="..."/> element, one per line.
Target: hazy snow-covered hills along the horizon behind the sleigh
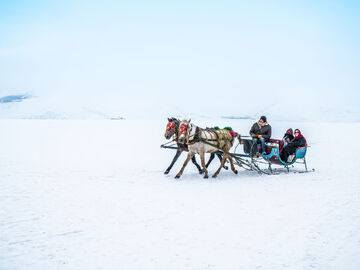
<point x="26" y="106"/>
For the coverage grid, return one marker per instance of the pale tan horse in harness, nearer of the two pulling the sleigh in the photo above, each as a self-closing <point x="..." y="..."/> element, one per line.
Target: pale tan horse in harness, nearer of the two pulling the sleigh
<point x="202" y="141"/>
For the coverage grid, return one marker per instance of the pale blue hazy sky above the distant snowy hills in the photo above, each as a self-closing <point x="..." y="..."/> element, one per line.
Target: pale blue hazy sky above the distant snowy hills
<point x="204" y="54"/>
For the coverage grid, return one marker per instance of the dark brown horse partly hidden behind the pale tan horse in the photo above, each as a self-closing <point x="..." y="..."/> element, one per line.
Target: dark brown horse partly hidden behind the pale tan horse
<point x="172" y="130"/>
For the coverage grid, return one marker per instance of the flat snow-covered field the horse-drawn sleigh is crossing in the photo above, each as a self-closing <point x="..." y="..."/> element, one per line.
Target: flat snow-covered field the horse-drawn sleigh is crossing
<point x="92" y="195"/>
